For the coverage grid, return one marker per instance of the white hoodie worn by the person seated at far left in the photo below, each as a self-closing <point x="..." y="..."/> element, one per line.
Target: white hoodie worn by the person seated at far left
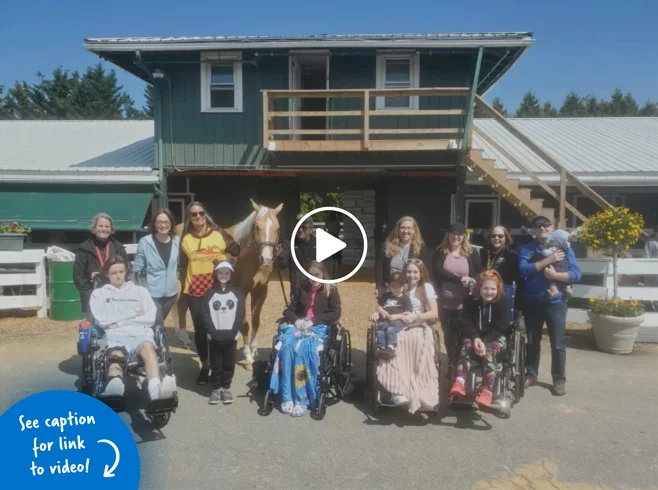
<point x="110" y="304"/>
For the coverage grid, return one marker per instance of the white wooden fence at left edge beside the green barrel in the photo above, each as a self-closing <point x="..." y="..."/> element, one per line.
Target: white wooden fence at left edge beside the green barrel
<point x="26" y="268"/>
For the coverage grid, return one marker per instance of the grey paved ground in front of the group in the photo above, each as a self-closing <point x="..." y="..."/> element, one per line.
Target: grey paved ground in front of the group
<point x="603" y="434"/>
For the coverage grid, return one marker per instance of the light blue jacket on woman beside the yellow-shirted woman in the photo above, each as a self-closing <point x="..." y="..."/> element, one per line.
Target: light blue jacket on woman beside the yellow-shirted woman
<point x="161" y="278"/>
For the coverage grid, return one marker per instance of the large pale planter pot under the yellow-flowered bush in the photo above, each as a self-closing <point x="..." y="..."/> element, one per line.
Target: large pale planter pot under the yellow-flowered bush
<point x="615" y="334"/>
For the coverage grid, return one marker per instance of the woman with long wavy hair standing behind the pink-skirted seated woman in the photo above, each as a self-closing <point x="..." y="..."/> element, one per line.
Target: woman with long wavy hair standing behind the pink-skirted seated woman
<point x="403" y="243"/>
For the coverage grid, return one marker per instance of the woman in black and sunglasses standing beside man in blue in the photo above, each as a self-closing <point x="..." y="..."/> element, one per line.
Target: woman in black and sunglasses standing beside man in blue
<point x="498" y="255"/>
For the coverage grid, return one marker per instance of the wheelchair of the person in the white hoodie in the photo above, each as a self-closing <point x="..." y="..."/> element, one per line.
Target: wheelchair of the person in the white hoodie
<point x="95" y="365"/>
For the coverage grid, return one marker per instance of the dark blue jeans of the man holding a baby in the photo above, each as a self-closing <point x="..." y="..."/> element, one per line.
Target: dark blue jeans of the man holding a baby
<point x="555" y="317"/>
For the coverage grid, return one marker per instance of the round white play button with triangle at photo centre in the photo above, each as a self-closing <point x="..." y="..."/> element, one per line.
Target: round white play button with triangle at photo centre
<point x="327" y="245"/>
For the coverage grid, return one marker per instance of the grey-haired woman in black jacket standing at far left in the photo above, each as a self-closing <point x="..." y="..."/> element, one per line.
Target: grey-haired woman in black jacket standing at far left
<point x="91" y="256"/>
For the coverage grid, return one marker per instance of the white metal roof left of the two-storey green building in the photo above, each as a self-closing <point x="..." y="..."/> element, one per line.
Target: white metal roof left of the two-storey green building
<point x="79" y="146"/>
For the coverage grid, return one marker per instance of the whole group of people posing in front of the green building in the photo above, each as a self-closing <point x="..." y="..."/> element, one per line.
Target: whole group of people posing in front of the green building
<point x="469" y="291"/>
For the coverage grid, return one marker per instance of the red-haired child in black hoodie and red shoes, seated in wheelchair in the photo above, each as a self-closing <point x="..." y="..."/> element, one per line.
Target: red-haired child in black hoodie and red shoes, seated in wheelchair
<point x="482" y="332"/>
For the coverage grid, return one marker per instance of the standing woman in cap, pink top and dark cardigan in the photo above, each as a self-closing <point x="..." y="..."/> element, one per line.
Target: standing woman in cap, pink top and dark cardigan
<point x="455" y="265"/>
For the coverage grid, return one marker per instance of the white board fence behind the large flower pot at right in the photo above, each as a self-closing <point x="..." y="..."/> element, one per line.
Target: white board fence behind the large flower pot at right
<point x="634" y="276"/>
